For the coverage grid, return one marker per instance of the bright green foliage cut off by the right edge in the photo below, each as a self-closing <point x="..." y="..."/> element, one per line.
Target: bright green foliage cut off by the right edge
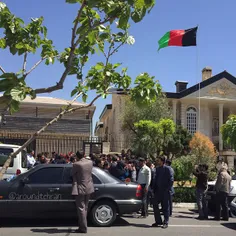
<point x="228" y="131"/>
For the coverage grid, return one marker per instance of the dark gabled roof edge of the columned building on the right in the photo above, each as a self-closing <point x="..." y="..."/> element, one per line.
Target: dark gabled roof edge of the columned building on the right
<point x="202" y="84"/>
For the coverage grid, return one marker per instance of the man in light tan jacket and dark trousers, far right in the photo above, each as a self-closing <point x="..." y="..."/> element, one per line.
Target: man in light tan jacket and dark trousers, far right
<point x="222" y="190"/>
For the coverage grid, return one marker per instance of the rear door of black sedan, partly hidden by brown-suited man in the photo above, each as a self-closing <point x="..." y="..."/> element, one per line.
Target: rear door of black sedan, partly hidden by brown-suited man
<point x="67" y="201"/>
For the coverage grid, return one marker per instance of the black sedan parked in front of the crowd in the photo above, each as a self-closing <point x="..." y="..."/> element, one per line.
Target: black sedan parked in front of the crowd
<point x="45" y="192"/>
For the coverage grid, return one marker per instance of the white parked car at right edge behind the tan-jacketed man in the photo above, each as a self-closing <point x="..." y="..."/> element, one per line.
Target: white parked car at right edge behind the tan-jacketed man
<point x="211" y="193"/>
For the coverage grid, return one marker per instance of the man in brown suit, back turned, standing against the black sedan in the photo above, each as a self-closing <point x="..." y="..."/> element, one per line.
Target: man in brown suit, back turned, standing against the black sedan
<point x="82" y="188"/>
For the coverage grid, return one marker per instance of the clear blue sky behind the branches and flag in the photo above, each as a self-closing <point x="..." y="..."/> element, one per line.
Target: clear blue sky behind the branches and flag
<point x="216" y="39"/>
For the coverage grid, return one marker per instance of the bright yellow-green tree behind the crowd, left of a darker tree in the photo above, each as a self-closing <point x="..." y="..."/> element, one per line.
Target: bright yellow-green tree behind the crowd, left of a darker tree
<point x="153" y="137"/>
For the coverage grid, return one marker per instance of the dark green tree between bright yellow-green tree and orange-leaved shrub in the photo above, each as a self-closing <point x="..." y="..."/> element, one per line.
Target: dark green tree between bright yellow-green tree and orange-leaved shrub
<point x="179" y="143"/>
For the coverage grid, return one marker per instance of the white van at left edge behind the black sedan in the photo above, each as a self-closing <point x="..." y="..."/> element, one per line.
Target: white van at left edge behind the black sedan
<point x="19" y="163"/>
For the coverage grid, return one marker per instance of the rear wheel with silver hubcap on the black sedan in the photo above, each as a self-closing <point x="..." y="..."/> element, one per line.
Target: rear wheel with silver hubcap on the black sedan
<point x="103" y="213"/>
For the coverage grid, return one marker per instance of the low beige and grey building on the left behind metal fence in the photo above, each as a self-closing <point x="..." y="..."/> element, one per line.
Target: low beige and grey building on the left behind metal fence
<point x="70" y="133"/>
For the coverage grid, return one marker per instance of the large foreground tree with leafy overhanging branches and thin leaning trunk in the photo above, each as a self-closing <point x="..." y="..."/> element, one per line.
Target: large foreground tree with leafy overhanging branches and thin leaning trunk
<point x="99" y="26"/>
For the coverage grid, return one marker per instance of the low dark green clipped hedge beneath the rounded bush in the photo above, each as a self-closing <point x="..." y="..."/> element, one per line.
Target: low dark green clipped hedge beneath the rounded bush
<point x="184" y="194"/>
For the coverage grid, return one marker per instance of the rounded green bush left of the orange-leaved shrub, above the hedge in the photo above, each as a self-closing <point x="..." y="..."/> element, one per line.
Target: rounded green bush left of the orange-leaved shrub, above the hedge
<point x="183" y="168"/>
